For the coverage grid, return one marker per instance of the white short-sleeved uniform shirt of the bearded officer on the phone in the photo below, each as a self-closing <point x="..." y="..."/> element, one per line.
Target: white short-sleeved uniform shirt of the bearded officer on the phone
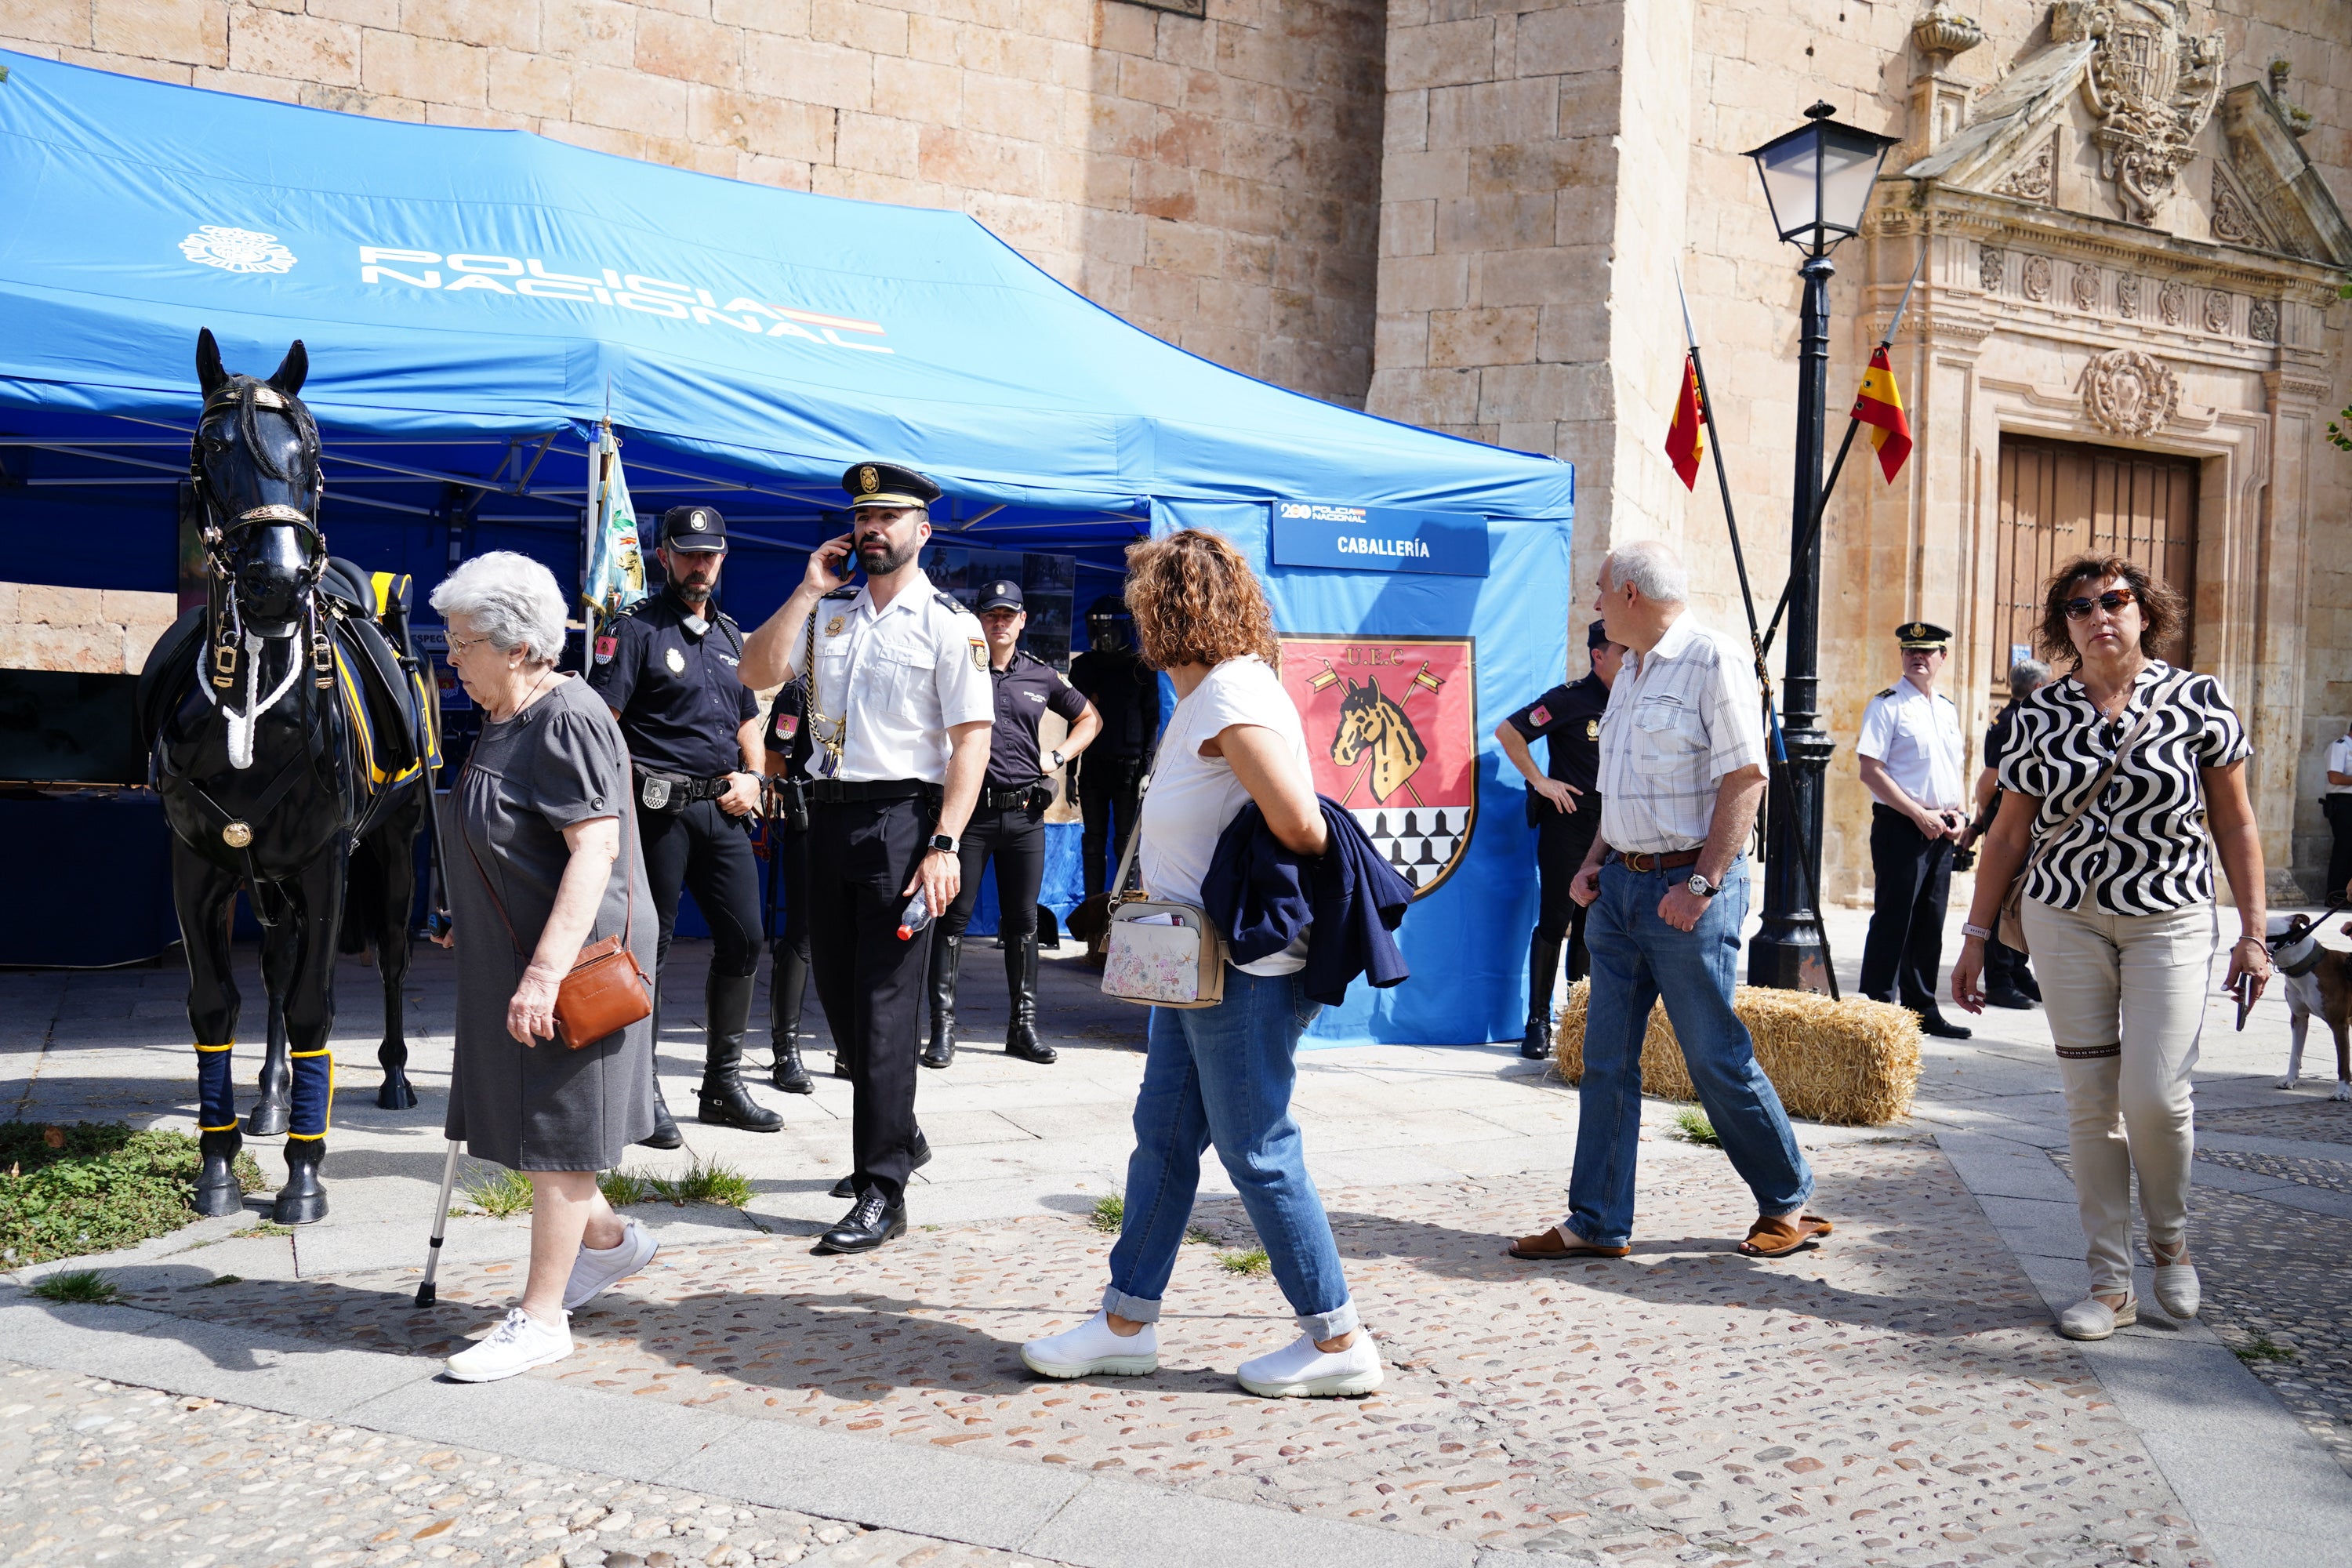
<point x="900" y="678"/>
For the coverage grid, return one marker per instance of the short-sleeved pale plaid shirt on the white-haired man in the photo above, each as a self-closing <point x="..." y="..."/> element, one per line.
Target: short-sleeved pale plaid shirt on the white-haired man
<point x="1681" y="718"/>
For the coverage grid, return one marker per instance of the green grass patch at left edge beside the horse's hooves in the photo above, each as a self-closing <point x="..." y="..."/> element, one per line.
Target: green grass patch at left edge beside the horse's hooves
<point x="95" y="1186"/>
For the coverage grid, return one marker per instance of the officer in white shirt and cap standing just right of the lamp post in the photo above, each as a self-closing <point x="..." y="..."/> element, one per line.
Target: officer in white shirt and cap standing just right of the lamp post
<point x="1913" y="765"/>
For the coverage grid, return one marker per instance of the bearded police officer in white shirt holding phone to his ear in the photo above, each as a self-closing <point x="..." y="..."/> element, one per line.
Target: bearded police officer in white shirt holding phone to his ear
<point x="900" y="716"/>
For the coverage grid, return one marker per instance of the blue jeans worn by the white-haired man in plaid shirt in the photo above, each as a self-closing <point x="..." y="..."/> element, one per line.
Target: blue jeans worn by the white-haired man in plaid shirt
<point x="1636" y="960"/>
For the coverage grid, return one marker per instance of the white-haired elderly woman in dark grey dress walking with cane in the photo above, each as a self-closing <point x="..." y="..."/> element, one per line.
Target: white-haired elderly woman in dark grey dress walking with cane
<point x="540" y="866"/>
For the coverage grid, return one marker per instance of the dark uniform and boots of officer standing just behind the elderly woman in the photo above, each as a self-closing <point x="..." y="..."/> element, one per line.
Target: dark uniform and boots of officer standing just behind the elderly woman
<point x="681" y="709"/>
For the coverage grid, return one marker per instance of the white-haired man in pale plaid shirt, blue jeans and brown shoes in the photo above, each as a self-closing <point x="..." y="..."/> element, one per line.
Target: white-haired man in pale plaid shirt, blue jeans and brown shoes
<point x="1666" y="883"/>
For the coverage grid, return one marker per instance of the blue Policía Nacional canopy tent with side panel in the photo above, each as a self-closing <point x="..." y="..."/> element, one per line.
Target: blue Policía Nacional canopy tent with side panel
<point x="476" y="302"/>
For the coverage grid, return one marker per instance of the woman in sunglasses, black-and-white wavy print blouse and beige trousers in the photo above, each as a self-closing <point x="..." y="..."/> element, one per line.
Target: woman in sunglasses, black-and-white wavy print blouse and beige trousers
<point x="2120" y="906"/>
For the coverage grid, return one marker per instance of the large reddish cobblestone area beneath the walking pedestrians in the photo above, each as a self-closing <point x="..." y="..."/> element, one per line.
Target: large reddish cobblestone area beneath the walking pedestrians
<point x="1892" y="1398"/>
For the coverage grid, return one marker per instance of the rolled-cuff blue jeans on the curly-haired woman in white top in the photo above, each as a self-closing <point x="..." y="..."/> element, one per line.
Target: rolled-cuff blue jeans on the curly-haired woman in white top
<point x="1224" y="1076"/>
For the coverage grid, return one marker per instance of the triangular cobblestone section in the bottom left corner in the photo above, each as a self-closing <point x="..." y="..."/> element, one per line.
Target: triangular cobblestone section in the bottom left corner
<point x="100" y="1473"/>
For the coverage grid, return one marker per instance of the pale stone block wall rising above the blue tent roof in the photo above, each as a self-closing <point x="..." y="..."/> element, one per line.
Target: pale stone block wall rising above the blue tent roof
<point x="1210" y="180"/>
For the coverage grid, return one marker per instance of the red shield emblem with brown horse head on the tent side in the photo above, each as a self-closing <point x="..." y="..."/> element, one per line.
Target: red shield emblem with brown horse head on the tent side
<point x="1394" y="737"/>
